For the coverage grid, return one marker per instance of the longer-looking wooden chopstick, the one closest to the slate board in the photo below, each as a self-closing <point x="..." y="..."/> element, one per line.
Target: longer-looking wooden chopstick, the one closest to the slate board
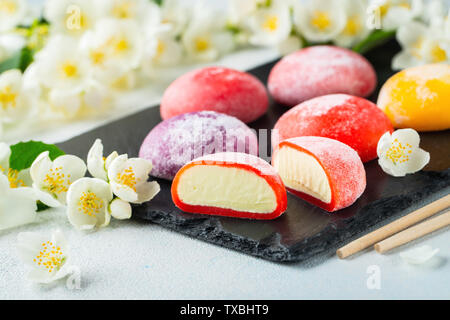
<point x="394" y="227"/>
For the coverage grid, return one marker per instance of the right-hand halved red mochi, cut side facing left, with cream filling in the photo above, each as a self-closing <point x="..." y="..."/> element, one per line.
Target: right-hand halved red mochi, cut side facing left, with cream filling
<point x="322" y="171"/>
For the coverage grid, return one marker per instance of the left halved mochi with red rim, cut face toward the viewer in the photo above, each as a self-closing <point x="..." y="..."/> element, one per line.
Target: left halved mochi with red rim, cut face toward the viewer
<point x="230" y="184"/>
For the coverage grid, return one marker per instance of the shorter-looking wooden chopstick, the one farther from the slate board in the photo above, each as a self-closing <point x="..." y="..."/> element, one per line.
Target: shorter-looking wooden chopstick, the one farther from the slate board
<point x="413" y="233"/>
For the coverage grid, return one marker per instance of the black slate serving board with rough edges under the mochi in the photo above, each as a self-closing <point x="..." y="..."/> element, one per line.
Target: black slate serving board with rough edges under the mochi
<point x="304" y="231"/>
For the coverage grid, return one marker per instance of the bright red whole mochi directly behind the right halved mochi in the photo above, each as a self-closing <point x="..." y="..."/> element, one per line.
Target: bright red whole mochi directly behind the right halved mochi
<point x="354" y="121"/>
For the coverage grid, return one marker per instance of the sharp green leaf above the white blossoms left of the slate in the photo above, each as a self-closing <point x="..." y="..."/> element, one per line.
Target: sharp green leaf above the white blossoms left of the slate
<point x="24" y="153"/>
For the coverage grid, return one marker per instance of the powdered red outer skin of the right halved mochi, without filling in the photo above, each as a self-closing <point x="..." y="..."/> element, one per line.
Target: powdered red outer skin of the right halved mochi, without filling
<point x="342" y="165"/>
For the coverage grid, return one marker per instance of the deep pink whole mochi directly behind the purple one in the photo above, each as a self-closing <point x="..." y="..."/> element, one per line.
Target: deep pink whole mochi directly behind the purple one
<point x="224" y="90"/>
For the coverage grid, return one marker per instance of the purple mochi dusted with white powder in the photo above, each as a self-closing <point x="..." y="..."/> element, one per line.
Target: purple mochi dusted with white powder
<point x="180" y="139"/>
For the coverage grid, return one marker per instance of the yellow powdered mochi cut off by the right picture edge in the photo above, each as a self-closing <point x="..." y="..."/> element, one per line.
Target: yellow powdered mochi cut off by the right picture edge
<point x="418" y="98"/>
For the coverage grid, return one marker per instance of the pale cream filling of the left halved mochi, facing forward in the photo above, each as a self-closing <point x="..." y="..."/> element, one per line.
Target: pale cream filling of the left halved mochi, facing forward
<point x="226" y="187"/>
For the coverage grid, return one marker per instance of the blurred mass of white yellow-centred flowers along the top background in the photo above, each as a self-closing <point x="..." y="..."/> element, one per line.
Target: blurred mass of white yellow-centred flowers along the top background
<point x="65" y="60"/>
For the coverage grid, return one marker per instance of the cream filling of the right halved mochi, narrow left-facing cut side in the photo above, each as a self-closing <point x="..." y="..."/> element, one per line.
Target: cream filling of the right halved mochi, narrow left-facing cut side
<point x="302" y="172"/>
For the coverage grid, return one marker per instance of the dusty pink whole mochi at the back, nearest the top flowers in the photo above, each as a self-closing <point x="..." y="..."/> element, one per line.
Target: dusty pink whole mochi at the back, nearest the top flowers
<point x="320" y="70"/>
